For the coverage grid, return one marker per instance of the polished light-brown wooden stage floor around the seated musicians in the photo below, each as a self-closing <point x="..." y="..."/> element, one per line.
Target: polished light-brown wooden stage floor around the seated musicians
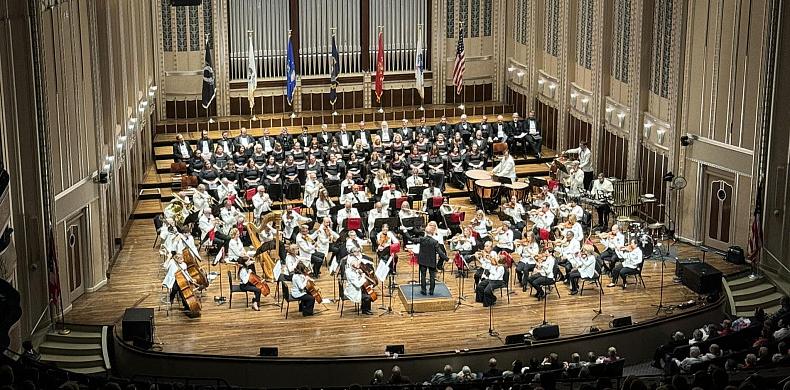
<point x="136" y="282"/>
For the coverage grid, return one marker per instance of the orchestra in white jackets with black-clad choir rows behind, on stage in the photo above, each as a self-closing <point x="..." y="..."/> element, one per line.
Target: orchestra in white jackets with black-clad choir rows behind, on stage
<point x="365" y="172"/>
